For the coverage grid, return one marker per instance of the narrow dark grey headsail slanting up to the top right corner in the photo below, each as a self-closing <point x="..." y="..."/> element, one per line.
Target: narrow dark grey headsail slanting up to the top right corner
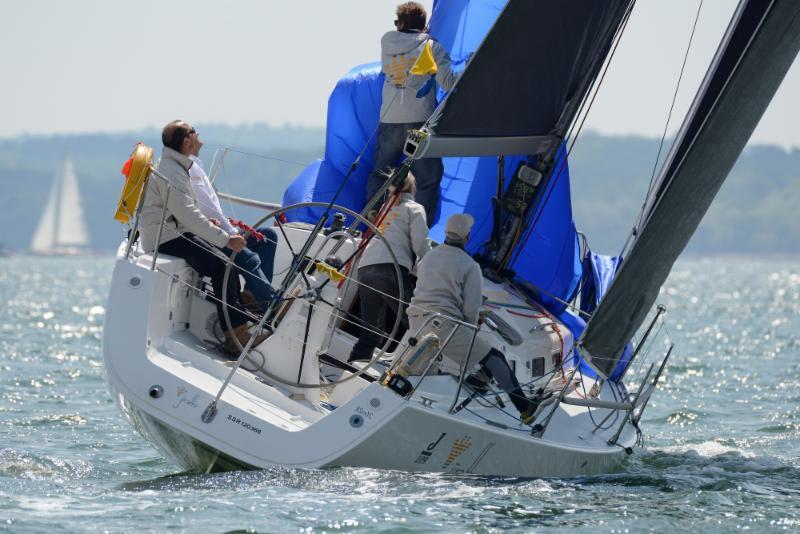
<point x="757" y="50"/>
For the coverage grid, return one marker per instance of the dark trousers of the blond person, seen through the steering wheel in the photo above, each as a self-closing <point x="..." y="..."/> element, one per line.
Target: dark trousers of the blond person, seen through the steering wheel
<point x="375" y="306"/>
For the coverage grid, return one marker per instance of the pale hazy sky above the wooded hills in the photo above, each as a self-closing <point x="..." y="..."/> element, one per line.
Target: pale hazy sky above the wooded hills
<point x="83" y="66"/>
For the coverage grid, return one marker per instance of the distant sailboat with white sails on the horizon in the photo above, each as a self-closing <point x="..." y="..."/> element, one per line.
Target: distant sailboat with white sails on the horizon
<point x="62" y="228"/>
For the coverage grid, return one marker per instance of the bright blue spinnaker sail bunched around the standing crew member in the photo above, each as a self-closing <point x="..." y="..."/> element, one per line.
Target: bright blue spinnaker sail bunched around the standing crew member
<point x="549" y="259"/>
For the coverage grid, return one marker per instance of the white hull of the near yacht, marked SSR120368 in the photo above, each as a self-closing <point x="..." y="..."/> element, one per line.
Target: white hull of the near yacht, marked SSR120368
<point x="163" y="377"/>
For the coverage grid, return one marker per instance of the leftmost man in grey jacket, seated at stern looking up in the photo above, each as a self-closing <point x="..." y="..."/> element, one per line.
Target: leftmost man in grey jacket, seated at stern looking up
<point x="187" y="233"/>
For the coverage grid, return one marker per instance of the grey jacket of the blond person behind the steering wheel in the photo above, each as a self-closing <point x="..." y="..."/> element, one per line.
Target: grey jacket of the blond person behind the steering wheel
<point x="405" y="230"/>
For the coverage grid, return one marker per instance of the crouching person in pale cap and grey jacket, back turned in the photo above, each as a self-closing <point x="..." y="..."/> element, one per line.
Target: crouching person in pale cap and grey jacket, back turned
<point x="449" y="282"/>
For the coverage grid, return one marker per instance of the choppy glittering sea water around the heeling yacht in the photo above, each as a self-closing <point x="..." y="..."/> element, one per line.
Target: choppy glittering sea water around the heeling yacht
<point x="722" y="435"/>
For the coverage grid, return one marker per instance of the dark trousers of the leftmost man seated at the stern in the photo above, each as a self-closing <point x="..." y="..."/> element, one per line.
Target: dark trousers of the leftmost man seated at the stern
<point x="197" y="254"/>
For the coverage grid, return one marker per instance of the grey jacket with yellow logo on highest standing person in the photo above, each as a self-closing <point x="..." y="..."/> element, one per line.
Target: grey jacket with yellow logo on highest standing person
<point x="399" y="52"/>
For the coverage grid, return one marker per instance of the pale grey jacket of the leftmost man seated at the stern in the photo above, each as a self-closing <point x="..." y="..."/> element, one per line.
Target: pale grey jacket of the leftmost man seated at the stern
<point x="182" y="214"/>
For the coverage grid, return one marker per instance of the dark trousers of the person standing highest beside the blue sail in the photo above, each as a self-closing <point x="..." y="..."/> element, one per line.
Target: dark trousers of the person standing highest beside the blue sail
<point x="427" y="171"/>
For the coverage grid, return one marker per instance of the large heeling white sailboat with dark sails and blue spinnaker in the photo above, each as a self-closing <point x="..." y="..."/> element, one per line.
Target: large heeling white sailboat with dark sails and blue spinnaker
<point x="565" y="318"/>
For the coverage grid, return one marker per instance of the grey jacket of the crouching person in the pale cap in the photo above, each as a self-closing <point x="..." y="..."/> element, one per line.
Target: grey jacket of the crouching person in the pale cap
<point x="449" y="281"/>
